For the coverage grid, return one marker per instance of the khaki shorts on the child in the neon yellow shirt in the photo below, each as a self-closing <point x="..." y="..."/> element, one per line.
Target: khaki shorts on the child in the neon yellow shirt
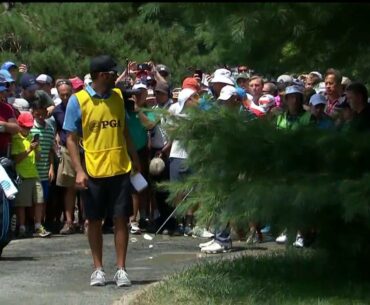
<point x="29" y="192"/>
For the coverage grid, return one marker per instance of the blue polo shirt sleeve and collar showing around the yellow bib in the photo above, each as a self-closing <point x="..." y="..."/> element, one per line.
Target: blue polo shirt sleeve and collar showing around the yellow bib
<point x="72" y="120"/>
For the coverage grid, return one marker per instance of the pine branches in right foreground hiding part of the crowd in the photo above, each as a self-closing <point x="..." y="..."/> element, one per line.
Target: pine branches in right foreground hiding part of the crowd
<point x="247" y="171"/>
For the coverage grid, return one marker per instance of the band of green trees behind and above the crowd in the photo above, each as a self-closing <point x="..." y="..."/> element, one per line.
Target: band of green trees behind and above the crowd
<point x="272" y="38"/>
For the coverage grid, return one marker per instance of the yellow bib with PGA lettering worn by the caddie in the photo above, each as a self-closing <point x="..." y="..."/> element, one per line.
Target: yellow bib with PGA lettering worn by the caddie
<point x="103" y="122"/>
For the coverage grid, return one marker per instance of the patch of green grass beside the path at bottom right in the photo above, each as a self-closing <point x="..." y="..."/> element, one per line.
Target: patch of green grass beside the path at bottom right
<point x="293" y="278"/>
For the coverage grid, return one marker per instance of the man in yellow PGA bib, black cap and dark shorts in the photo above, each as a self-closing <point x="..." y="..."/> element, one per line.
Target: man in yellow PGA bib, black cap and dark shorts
<point x="95" y="120"/>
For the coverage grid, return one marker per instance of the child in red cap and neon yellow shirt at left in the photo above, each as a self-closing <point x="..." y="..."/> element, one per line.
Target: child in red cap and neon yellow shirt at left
<point x="25" y="152"/>
